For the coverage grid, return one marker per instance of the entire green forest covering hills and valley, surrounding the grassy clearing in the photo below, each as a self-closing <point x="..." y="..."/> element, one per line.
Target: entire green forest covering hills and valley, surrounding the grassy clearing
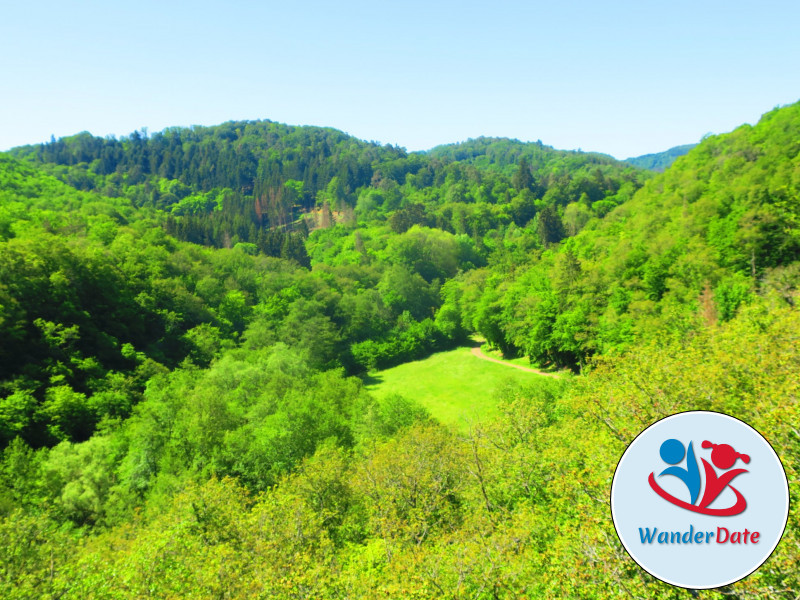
<point x="190" y="321"/>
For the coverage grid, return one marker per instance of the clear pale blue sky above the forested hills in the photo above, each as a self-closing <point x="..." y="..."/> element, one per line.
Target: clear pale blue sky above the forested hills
<point x="622" y="77"/>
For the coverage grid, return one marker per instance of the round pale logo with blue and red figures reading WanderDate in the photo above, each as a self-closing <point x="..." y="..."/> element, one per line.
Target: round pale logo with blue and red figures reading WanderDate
<point x="700" y="500"/>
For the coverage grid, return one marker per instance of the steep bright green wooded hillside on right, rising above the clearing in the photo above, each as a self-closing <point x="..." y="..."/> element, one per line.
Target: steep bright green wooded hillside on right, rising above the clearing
<point x="717" y="228"/>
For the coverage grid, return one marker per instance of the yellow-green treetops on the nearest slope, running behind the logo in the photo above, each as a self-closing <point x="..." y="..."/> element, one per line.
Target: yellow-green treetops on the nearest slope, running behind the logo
<point x="514" y="508"/>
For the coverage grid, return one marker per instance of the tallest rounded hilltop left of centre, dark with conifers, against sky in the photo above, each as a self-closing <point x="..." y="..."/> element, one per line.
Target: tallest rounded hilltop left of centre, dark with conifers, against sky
<point x="244" y="156"/>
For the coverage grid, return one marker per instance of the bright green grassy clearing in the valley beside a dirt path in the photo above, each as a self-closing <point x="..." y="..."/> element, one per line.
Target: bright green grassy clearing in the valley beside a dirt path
<point x="456" y="387"/>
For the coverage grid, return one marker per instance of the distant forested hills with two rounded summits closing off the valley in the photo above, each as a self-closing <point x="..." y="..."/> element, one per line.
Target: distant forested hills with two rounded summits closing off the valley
<point x="234" y="180"/>
